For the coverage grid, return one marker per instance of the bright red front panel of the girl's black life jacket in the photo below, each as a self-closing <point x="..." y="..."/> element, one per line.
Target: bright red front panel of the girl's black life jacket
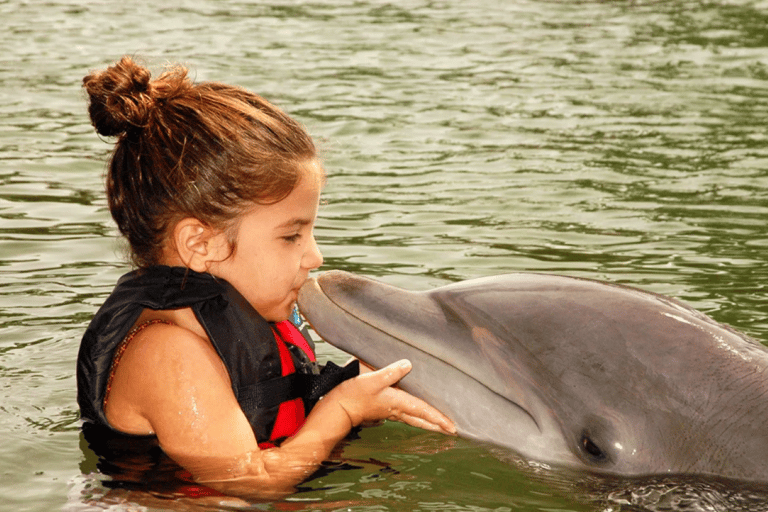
<point x="291" y="414"/>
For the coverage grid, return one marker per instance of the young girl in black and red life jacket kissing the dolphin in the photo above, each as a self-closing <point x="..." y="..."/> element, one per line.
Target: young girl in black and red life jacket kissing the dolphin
<point x="216" y="191"/>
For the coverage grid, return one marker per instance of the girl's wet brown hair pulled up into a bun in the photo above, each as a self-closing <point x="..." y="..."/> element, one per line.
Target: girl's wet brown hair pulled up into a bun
<point x="206" y="150"/>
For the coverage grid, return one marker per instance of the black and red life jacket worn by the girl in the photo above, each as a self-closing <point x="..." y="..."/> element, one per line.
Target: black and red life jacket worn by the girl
<point x="272" y="366"/>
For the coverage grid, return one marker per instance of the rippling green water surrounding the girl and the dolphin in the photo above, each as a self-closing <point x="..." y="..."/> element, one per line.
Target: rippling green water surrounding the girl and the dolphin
<point x="620" y="140"/>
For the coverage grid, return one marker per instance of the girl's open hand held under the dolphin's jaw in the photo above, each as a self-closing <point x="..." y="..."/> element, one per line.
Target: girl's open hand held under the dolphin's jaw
<point x="370" y="397"/>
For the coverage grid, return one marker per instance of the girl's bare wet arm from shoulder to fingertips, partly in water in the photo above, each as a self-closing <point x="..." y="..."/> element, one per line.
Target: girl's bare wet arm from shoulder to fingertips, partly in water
<point x="171" y="382"/>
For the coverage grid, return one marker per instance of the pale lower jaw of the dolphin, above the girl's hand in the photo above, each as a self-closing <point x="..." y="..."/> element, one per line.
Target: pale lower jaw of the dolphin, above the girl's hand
<point x="497" y="420"/>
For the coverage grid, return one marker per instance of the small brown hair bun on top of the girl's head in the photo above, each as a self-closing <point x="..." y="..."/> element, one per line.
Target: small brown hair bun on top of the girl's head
<point x="120" y="97"/>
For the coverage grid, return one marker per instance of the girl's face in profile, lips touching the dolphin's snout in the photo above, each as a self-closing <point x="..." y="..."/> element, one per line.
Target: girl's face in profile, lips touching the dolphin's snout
<point x="276" y="249"/>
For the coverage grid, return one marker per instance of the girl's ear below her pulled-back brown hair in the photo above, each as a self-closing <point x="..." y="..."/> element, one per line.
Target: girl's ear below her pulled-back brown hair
<point x="198" y="245"/>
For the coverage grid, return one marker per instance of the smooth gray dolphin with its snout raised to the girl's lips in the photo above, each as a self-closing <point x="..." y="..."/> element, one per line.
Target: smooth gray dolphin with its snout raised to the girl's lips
<point x="564" y="370"/>
